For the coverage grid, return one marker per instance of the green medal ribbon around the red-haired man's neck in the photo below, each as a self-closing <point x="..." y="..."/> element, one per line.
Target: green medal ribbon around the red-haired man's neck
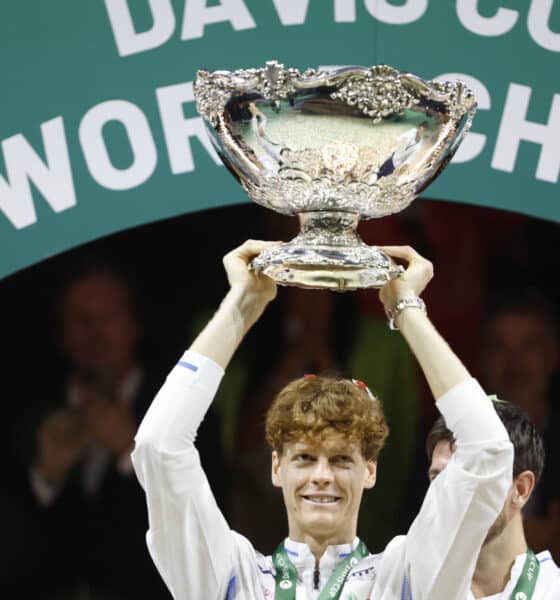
<point x="286" y="574"/>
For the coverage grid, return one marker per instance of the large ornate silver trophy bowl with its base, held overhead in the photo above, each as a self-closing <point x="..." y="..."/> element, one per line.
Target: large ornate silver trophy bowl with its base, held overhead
<point x="332" y="147"/>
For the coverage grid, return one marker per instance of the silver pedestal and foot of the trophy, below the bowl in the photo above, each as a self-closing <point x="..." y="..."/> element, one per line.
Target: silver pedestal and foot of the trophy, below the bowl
<point x="327" y="254"/>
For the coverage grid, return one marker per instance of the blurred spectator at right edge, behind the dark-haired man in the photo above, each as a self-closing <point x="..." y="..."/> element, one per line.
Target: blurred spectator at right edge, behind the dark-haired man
<point x="520" y="364"/>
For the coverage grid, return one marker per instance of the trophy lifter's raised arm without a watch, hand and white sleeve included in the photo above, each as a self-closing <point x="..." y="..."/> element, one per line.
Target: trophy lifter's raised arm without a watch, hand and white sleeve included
<point x="188" y="538"/>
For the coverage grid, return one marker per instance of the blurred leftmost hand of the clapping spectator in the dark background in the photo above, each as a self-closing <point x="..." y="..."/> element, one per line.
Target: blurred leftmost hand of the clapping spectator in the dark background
<point x="61" y="439"/>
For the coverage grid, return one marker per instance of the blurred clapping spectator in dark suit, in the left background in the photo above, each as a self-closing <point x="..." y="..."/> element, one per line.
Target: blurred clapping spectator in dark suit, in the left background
<point x="91" y="510"/>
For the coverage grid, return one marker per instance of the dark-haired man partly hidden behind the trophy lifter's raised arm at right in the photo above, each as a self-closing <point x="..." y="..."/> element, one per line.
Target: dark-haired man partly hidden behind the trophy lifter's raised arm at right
<point x="506" y="568"/>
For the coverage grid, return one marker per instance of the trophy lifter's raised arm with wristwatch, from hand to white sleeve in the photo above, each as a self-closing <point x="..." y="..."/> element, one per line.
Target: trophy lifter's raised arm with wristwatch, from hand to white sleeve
<point x="462" y="503"/>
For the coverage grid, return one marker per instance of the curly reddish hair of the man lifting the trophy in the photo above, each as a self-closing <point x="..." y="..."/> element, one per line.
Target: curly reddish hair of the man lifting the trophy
<point x="312" y="408"/>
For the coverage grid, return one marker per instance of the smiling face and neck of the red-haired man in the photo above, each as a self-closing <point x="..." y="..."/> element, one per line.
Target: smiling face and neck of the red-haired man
<point x="322" y="485"/>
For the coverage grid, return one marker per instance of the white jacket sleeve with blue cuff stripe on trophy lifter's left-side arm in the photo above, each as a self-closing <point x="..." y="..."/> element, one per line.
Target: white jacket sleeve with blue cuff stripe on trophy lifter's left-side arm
<point x="188" y="537"/>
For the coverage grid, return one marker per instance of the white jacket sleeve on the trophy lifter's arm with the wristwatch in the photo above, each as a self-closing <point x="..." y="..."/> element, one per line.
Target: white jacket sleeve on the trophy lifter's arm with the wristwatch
<point x="463" y="501"/>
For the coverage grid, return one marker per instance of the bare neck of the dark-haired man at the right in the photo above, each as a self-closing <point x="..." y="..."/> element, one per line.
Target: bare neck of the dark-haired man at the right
<point x="493" y="567"/>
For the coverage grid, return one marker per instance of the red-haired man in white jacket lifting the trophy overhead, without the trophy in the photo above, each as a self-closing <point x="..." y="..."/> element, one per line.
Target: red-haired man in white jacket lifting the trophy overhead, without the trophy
<point x="320" y="467"/>
